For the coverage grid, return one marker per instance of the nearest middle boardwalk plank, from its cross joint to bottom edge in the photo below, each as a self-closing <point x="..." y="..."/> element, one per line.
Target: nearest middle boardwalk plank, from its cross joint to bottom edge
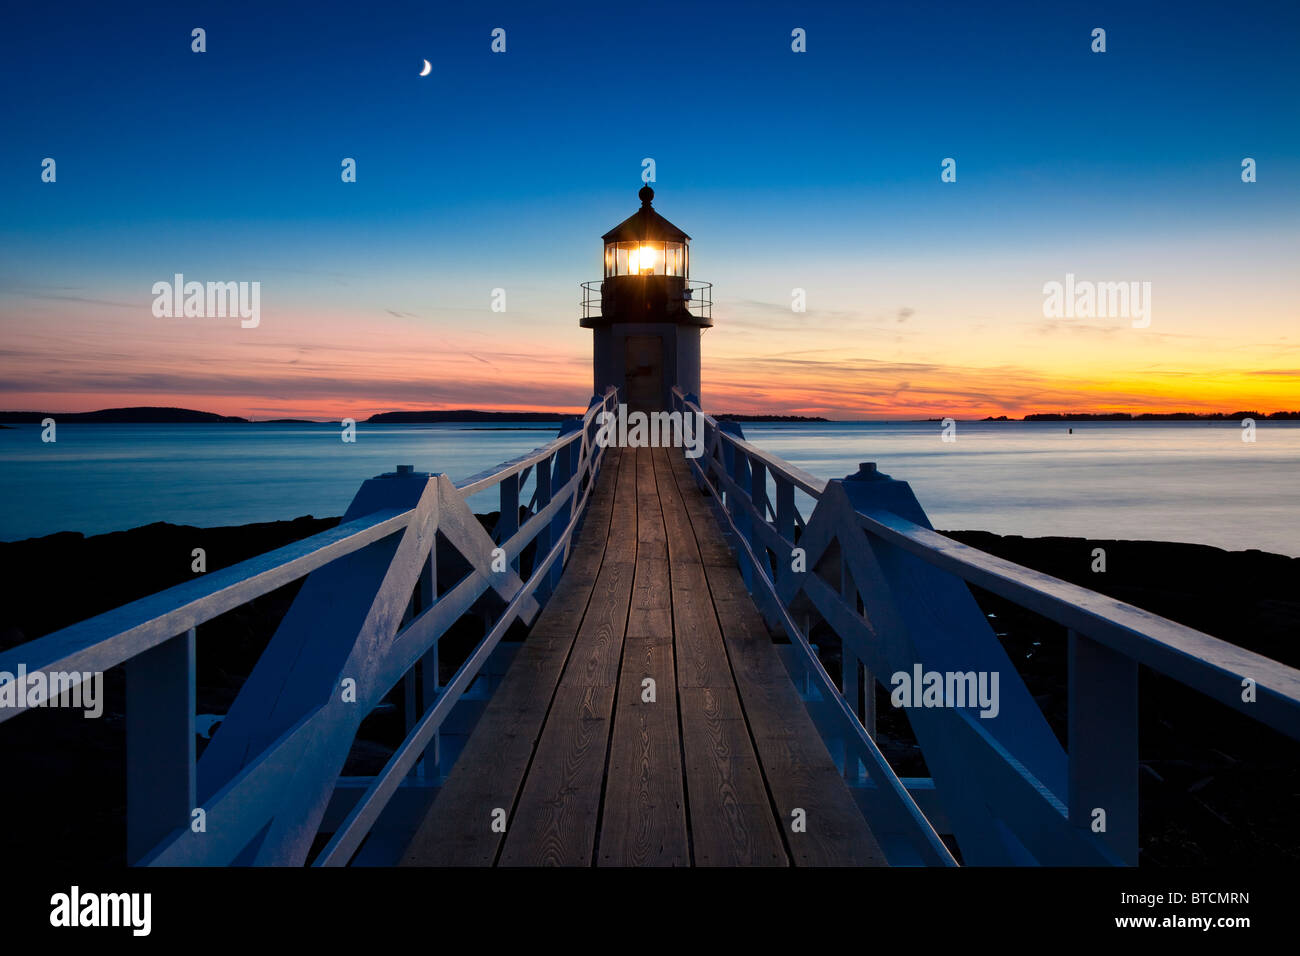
<point x="644" y="823"/>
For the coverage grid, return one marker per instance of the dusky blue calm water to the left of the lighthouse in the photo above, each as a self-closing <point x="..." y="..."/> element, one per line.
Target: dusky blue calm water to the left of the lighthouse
<point x="110" y="478"/>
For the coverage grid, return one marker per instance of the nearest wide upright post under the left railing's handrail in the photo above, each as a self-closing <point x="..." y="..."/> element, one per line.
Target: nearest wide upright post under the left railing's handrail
<point x="161" y="745"/>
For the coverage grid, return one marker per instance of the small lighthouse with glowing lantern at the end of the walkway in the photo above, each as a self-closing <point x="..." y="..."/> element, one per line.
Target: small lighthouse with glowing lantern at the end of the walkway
<point x="647" y="315"/>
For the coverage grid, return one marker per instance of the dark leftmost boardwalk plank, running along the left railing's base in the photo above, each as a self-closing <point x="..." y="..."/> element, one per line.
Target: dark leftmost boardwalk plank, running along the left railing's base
<point x="491" y="772"/>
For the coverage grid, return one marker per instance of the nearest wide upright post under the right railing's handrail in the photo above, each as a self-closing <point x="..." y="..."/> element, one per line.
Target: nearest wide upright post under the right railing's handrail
<point x="1103" y="745"/>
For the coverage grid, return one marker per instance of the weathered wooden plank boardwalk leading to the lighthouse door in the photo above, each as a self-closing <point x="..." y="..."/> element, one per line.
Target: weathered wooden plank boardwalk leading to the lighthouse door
<point x="587" y="771"/>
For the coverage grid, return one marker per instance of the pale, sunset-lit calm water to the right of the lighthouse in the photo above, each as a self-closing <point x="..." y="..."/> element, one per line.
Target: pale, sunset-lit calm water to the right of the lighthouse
<point x="1162" y="482"/>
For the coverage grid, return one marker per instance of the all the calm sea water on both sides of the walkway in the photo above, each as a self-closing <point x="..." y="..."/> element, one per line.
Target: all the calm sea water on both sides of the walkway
<point x="1172" y="482"/>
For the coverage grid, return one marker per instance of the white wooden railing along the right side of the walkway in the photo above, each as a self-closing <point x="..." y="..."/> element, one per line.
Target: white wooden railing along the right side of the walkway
<point x="868" y="563"/>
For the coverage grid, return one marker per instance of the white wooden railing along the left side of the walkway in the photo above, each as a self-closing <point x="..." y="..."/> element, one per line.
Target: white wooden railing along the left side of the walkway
<point x="370" y="615"/>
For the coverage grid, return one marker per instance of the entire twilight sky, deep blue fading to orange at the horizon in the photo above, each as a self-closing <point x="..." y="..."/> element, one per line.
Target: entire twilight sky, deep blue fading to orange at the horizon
<point x="817" y="171"/>
